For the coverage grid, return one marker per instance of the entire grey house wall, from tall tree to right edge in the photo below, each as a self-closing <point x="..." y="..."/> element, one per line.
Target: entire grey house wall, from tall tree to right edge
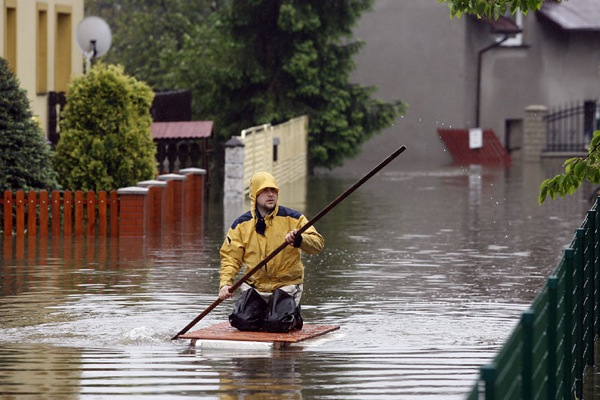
<point x="415" y="52"/>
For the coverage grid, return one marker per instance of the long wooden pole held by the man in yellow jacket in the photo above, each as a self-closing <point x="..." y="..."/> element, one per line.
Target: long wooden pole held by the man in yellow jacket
<point x="282" y="246"/>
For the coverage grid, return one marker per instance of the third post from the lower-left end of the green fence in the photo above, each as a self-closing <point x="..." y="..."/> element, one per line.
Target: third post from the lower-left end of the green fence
<point x="552" y="285"/>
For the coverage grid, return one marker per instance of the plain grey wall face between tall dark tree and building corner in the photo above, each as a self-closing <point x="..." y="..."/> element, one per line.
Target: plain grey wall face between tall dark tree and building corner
<point x="414" y="52"/>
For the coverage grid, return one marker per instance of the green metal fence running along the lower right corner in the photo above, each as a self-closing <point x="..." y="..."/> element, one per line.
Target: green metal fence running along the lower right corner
<point x="550" y="353"/>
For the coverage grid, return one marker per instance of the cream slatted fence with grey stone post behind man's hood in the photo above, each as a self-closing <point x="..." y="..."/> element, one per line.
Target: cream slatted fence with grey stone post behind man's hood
<point x="281" y="150"/>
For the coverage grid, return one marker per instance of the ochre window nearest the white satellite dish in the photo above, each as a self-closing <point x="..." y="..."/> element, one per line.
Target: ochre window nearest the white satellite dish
<point x="62" y="63"/>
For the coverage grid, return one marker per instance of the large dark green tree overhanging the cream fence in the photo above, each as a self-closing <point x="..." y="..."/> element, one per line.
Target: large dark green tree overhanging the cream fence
<point x="266" y="61"/>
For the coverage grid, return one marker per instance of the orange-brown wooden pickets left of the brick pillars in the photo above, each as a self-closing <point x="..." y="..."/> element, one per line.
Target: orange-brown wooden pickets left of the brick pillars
<point x="58" y="213"/>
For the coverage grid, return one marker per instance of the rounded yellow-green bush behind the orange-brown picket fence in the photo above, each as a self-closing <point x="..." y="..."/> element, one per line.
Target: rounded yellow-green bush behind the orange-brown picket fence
<point x="106" y="141"/>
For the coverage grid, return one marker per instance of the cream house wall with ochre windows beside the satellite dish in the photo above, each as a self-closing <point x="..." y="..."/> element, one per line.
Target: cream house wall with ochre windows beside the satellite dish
<point x="40" y="68"/>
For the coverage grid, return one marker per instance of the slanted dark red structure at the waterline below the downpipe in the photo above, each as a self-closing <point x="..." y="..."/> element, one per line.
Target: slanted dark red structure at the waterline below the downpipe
<point x="491" y="153"/>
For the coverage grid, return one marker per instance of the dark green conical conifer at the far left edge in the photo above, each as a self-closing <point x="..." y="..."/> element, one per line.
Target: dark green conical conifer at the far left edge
<point x="25" y="156"/>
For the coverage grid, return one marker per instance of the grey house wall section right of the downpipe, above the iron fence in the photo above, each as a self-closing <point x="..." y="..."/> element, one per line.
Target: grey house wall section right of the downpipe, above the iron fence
<point x="552" y="69"/>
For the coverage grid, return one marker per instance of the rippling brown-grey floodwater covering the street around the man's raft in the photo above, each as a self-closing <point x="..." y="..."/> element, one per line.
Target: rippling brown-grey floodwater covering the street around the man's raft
<point x="425" y="270"/>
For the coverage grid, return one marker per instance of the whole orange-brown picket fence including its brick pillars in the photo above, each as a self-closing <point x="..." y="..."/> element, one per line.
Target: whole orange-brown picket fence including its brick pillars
<point x="132" y="211"/>
